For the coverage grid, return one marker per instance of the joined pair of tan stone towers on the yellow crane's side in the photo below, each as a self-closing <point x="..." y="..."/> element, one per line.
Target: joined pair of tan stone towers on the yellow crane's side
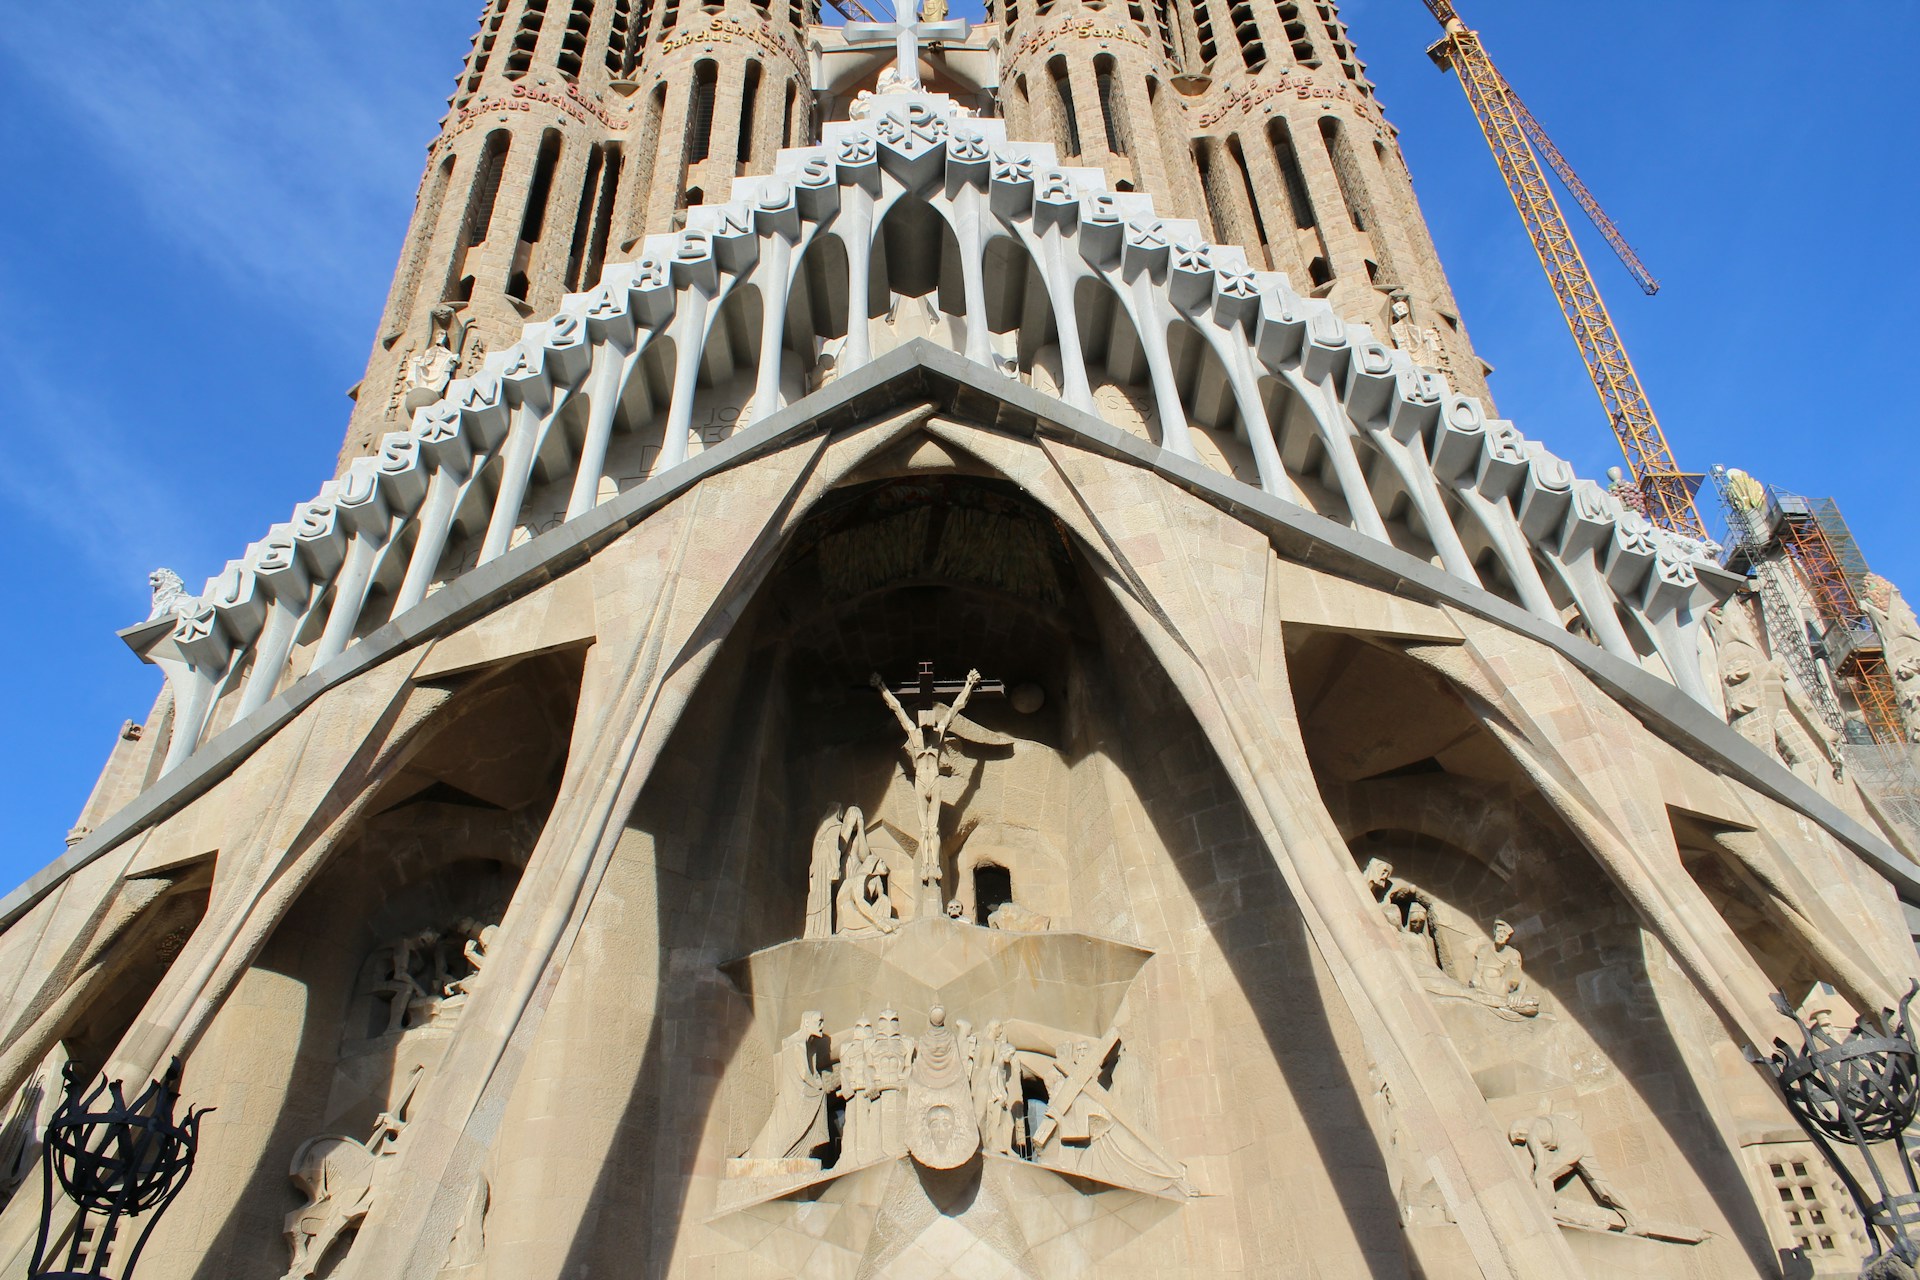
<point x="1259" y="118"/>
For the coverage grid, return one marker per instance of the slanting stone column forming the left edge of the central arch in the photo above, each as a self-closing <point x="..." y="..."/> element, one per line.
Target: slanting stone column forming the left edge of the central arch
<point x="667" y="596"/>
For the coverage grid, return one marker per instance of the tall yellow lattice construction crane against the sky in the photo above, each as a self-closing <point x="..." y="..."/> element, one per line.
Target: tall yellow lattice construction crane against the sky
<point x="1508" y="126"/>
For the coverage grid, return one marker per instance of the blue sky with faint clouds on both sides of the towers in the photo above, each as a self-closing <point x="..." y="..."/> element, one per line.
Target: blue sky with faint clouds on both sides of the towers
<point x="208" y="199"/>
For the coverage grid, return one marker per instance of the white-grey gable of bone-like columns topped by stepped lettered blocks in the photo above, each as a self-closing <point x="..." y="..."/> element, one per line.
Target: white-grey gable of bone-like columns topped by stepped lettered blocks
<point x="375" y="540"/>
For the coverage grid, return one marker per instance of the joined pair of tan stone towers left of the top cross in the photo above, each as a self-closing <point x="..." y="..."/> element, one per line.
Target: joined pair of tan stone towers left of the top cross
<point x="556" y="158"/>
